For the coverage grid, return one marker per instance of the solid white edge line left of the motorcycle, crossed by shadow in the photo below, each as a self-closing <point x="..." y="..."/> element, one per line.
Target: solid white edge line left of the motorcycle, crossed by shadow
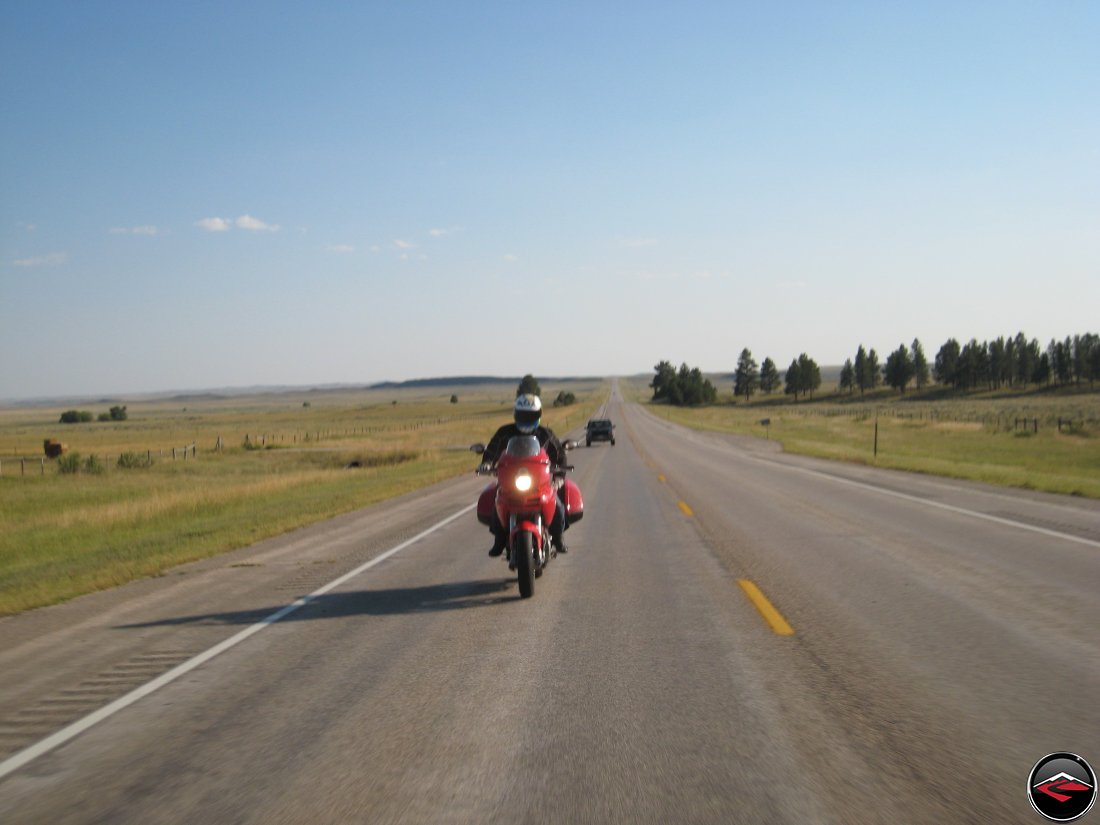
<point x="45" y="746"/>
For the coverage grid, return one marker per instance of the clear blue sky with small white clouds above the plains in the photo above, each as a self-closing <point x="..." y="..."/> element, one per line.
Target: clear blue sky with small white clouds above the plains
<point x="208" y="195"/>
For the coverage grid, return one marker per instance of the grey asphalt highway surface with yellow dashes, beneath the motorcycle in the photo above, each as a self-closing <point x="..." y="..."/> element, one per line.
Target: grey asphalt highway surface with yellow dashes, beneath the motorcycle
<point x="735" y="636"/>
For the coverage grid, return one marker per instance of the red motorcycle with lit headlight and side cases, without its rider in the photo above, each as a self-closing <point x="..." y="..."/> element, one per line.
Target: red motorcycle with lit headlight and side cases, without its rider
<point x="525" y="500"/>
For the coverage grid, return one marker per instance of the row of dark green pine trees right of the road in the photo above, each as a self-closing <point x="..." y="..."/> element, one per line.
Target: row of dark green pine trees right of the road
<point x="1006" y="361"/>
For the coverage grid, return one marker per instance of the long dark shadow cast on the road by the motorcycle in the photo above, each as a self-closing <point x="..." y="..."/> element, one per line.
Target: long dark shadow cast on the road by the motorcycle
<point x="430" y="599"/>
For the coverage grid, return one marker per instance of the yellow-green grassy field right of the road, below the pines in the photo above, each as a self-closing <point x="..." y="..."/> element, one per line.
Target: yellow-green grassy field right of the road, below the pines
<point x="1011" y="439"/>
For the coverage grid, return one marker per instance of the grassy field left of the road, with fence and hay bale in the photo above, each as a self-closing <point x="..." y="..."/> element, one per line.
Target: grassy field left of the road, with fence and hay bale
<point x="285" y="461"/>
